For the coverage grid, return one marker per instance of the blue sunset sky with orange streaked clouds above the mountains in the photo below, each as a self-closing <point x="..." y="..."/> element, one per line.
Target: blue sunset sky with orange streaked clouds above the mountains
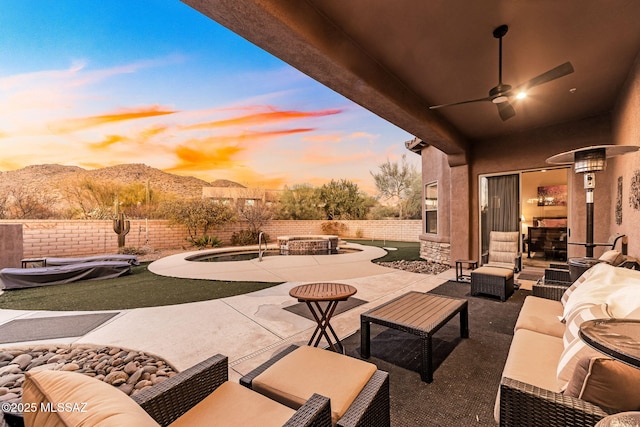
<point x="99" y="83"/>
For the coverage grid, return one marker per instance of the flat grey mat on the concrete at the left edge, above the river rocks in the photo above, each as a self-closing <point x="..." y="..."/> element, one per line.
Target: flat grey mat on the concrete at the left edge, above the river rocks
<point x="45" y="328"/>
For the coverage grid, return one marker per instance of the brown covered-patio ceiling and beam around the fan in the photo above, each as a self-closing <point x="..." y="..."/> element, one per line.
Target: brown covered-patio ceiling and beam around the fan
<point x="397" y="58"/>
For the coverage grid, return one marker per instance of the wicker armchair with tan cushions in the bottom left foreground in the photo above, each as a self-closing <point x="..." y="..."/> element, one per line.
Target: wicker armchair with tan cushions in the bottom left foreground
<point x="165" y="402"/>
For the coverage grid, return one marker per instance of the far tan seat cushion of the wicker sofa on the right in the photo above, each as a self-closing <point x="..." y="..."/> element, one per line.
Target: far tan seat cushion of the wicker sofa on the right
<point x="541" y="315"/>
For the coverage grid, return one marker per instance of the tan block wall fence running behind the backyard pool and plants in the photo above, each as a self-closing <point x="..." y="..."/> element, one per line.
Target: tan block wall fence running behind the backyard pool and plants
<point x="69" y="238"/>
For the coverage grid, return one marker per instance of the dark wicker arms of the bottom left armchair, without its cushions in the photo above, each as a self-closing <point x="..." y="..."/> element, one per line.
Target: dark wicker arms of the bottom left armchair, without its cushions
<point x="170" y="399"/>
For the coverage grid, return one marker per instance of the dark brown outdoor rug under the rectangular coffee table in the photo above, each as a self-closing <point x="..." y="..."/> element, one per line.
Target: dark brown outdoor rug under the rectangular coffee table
<point x="466" y="371"/>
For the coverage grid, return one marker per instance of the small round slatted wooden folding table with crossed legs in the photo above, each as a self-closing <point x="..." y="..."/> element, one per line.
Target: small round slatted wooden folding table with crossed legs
<point x="313" y="294"/>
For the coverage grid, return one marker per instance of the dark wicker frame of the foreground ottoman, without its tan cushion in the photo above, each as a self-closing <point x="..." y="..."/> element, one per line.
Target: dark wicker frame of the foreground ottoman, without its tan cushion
<point x="370" y="408"/>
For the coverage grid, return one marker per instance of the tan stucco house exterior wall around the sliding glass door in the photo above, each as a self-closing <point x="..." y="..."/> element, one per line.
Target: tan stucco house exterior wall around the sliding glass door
<point x="527" y="151"/>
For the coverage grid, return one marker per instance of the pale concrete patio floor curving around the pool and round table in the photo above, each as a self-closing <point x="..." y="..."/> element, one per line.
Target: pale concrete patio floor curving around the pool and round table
<point x="247" y="328"/>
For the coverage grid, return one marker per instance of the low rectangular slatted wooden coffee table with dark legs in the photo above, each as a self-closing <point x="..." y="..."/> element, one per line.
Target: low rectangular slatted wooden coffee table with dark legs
<point x="419" y="314"/>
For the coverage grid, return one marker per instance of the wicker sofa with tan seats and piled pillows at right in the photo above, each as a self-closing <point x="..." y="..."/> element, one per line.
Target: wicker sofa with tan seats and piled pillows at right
<point x="546" y="352"/>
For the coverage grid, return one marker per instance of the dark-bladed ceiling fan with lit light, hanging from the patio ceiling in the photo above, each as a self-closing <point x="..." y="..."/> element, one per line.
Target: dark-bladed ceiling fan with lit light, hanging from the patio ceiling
<point x="500" y="94"/>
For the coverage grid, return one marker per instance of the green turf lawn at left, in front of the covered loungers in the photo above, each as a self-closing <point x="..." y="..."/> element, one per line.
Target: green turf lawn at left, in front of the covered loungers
<point x="141" y="288"/>
